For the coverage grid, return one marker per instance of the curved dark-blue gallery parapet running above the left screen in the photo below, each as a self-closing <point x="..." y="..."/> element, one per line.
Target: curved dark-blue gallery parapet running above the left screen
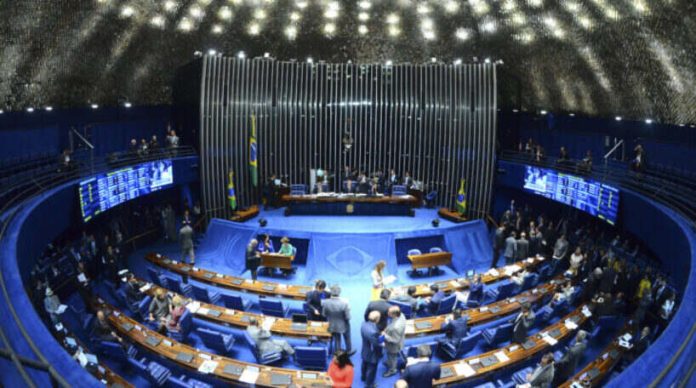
<point x="11" y="206"/>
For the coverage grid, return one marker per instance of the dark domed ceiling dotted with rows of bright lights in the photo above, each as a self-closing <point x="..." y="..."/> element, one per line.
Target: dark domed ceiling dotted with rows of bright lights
<point x="634" y="58"/>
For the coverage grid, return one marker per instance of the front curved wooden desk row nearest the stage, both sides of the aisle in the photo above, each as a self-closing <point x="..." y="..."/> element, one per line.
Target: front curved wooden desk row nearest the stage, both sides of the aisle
<point x="299" y="292"/>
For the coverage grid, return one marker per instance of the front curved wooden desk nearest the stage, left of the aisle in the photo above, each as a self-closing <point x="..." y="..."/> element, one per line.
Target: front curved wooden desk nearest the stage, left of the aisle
<point x="230" y="282"/>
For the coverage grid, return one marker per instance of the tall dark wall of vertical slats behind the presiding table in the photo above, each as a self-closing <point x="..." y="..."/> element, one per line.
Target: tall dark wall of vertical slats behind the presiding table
<point x="436" y="121"/>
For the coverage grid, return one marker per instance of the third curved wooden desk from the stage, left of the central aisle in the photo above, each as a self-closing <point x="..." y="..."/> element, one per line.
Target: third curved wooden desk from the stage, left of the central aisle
<point x="224" y="368"/>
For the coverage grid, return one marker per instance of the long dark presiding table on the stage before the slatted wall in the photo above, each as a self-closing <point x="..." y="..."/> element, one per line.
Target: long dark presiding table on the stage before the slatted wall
<point x="350" y="204"/>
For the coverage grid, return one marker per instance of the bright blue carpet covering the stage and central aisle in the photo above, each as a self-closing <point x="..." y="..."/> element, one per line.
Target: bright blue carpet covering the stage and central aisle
<point x="220" y="251"/>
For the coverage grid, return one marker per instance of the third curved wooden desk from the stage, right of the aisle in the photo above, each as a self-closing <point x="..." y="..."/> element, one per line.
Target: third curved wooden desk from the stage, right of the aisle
<point x="511" y="354"/>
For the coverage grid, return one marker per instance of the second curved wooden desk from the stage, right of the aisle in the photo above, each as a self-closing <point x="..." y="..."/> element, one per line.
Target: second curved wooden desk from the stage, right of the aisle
<point x="483" y="314"/>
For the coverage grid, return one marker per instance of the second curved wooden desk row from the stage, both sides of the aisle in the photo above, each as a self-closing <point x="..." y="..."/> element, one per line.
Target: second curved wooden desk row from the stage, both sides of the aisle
<point x="319" y="330"/>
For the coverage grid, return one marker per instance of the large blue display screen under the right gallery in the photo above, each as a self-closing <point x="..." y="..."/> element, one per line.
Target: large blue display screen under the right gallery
<point x="588" y="195"/>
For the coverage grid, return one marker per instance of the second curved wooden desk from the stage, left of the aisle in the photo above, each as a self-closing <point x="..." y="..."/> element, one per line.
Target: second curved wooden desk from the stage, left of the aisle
<point x="229" y="317"/>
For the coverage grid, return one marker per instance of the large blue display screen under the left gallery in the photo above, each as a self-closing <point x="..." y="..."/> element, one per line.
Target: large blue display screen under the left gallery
<point x="104" y="191"/>
